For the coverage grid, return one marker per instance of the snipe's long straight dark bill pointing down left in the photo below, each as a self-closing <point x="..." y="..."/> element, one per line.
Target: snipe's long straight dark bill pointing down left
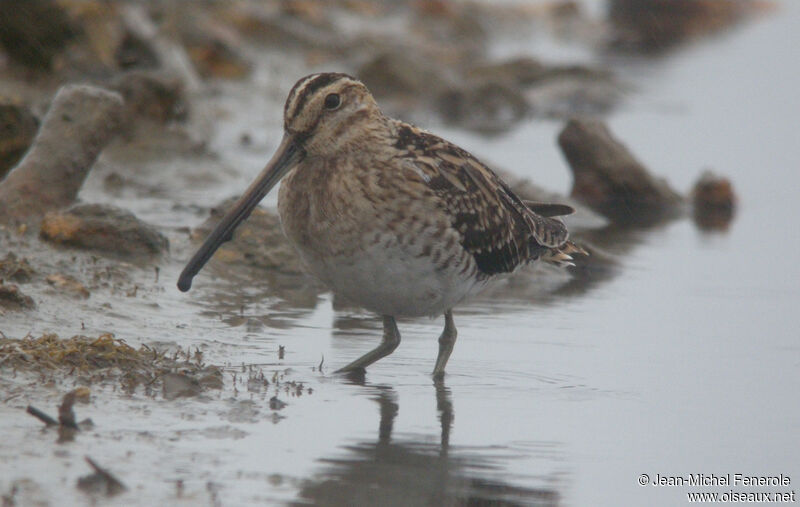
<point x="286" y="157"/>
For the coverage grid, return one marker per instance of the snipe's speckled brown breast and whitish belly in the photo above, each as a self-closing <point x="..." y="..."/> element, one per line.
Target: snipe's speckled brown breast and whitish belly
<point x="374" y="240"/>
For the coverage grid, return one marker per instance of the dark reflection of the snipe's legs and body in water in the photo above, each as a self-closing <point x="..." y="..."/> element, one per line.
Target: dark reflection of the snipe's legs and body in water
<point x="406" y="471"/>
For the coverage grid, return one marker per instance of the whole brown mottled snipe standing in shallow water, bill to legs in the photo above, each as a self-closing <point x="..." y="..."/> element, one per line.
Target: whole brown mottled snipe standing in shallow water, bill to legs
<point x="391" y="217"/>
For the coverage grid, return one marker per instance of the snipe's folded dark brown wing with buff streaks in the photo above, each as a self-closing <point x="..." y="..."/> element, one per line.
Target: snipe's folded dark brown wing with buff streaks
<point x="495" y="225"/>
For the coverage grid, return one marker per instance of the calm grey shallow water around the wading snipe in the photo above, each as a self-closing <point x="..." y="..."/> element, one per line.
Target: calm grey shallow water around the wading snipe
<point x="684" y="360"/>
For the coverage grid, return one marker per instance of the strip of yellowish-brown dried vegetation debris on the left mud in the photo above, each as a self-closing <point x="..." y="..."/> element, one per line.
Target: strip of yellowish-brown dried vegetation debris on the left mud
<point x="105" y="358"/>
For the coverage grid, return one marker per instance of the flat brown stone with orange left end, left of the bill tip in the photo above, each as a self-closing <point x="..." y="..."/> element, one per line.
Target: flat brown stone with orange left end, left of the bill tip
<point x="103" y="228"/>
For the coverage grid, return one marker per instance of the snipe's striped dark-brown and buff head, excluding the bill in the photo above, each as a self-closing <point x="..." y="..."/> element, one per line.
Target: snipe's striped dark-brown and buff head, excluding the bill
<point x="330" y="112"/>
